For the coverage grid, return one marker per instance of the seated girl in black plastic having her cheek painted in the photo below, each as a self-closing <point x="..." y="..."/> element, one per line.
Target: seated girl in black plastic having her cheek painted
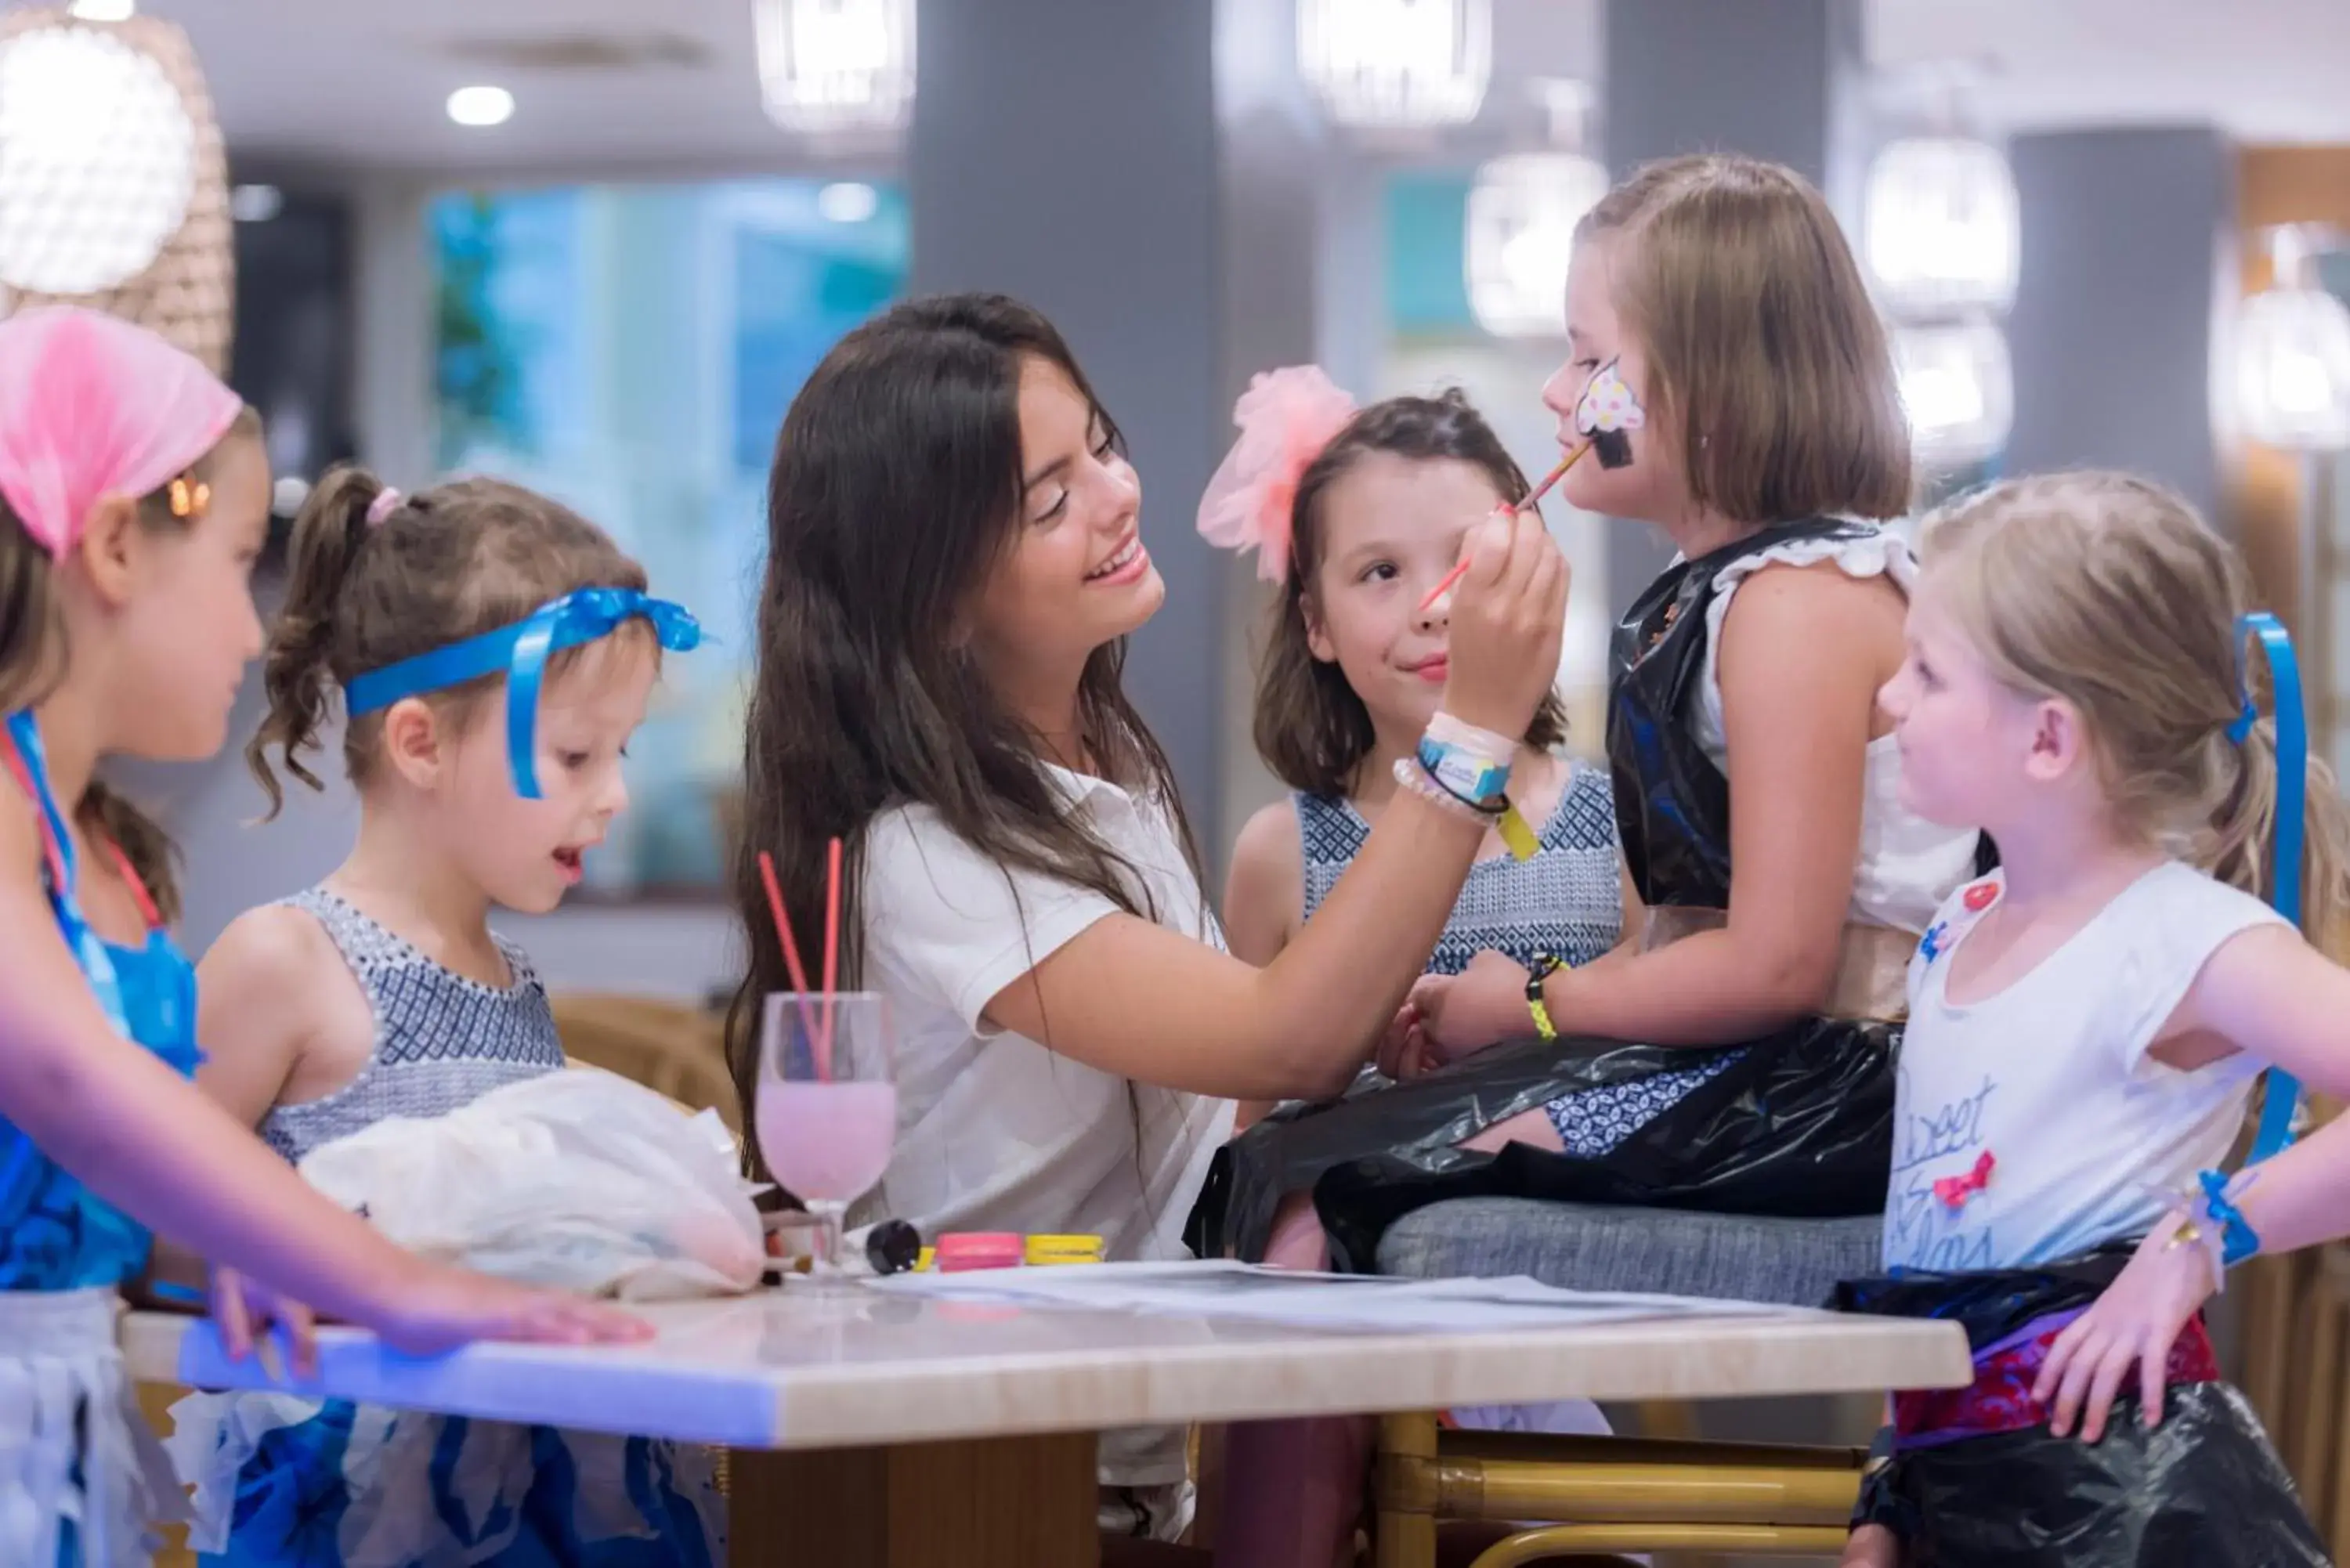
<point x="1733" y="389"/>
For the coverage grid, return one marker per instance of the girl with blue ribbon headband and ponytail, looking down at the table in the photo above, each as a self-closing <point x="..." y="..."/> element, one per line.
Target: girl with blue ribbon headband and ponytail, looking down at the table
<point x="384" y="993"/>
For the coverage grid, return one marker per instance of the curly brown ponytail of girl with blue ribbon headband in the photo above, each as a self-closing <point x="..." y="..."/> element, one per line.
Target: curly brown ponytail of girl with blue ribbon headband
<point x="297" y="664"/>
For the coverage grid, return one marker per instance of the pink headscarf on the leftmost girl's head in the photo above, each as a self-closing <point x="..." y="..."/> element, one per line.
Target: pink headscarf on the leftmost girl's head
<point x="98" y="408"/>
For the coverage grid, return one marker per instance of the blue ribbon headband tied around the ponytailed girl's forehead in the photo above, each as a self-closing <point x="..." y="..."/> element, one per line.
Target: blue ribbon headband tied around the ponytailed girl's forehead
<point x="521" y="652"/>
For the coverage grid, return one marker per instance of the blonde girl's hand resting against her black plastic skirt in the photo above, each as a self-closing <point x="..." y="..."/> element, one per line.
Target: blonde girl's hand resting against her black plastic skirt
<point x="2133" y="1325"/>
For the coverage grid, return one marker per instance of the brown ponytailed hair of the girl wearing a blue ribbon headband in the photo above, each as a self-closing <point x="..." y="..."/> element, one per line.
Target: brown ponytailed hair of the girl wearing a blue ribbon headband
<point x="445" y="565"/>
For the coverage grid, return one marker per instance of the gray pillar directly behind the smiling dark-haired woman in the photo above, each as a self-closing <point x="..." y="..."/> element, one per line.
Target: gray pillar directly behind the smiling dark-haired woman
<point x="1063" y="152"/>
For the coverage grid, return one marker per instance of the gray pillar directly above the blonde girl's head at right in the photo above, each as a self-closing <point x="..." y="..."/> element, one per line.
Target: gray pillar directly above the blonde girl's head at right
<point x="2119" y="302"/>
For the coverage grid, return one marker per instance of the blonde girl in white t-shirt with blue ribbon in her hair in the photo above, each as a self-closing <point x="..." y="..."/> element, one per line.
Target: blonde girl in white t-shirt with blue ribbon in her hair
<point x="2088" y="1031"/>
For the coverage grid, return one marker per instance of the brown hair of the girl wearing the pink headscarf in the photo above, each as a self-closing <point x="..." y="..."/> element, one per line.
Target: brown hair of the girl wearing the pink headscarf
<point x="34" y="662"/>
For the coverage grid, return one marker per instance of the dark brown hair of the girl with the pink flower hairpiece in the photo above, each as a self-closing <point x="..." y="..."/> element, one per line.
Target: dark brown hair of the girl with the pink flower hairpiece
<point x="1312" y="728"/>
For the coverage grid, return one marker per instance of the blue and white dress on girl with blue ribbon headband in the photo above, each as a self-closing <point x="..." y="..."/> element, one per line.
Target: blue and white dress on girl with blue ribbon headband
<point x="286" y="1480"/>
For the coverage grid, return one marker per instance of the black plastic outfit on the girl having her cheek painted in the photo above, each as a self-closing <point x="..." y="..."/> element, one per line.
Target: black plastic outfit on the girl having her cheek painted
<point x="1799" y="1125"/>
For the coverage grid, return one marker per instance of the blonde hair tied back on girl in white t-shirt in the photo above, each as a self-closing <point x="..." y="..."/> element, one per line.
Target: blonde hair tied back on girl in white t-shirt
<point x="2109" y="594"/>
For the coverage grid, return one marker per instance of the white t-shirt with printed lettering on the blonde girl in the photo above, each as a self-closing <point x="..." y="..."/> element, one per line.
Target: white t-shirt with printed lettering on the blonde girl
<point x="2034" y="1125"/>
